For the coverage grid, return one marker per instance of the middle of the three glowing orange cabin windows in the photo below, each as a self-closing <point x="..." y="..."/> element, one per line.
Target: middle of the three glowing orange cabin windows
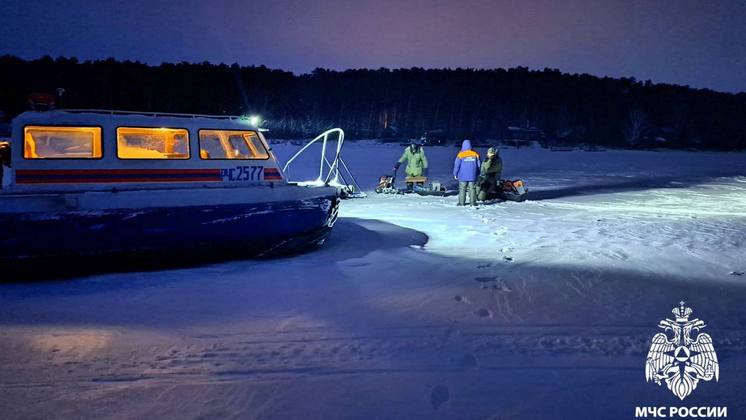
<point x="152" y="143"/>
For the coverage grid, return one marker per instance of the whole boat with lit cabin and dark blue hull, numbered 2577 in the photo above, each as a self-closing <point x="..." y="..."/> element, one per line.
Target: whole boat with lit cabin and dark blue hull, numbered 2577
<point x="103" y="183"/>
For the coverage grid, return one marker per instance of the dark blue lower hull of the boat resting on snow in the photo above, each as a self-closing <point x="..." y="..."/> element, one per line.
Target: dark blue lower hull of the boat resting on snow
<point x="66" y="242"/>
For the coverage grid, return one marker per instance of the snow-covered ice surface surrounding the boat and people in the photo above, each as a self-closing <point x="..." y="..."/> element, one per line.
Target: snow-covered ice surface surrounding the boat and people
<point x="414" y="308"/>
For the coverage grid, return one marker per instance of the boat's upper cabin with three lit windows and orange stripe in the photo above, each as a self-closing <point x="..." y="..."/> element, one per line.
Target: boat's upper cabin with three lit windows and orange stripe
<point x="63" y="149"/>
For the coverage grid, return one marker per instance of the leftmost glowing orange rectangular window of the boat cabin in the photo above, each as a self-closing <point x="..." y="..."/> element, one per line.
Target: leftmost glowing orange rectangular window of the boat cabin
<point x="47" y="142"/>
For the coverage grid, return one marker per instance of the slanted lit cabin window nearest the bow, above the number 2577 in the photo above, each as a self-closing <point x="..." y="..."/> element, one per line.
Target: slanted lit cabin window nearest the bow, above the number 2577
<point x="230" y="144"/>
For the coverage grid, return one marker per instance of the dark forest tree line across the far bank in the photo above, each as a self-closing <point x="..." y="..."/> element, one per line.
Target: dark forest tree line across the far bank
<point x="399" y="104"/>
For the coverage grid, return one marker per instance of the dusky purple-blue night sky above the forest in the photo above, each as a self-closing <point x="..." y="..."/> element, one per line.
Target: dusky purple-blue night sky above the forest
<point x="698" y="43"/>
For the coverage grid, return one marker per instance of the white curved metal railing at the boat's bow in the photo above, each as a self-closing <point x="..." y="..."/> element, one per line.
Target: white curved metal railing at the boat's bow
<point x="334" y="173"/>
